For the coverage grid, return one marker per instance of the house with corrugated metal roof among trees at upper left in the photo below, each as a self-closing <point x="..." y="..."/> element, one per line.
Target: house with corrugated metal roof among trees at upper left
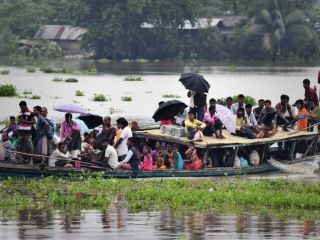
<point x="68" y="37"/>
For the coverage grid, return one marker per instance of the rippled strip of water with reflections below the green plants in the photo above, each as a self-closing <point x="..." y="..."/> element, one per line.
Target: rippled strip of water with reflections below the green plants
<point x="119" y="223"/>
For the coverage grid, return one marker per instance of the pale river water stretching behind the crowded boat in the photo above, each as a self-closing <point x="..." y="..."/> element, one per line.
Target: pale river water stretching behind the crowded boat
<point x="159" y="79"/>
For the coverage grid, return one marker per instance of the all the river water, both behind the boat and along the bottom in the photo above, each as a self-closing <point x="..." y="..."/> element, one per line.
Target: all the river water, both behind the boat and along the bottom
<point x="159" y="78"/>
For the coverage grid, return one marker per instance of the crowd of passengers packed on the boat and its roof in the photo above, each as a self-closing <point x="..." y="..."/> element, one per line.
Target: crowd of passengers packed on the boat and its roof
<point x="32" y="135"/>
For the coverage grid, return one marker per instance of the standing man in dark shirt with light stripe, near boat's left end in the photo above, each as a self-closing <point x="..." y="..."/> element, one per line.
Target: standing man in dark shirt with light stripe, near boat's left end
<point x="26" y="121"/>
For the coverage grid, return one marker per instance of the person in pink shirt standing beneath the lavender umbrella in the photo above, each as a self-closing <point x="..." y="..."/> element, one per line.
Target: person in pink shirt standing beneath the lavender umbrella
<point x="70" y="135"/>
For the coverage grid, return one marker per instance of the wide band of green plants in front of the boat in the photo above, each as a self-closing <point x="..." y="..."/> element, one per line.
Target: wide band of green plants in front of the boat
<point x="277" y="198"/>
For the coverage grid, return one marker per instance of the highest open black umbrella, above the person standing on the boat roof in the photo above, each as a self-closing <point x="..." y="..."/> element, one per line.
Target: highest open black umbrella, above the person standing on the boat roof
<point x="194" y="82"/>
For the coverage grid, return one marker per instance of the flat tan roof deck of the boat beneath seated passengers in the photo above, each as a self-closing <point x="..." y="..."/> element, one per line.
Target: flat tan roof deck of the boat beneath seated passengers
<point x="229" y="141"/>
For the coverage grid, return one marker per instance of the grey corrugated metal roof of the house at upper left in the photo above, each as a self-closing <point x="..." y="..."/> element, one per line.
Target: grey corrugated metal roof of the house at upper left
<point x="59" y="32"/>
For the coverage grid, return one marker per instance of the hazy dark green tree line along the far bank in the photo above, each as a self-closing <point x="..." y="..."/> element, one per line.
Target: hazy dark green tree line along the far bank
<point x="274" y="29"/>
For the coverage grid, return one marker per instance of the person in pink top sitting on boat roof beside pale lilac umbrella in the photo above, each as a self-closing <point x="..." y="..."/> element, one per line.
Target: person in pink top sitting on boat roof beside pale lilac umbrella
<point x="213" y="123"/>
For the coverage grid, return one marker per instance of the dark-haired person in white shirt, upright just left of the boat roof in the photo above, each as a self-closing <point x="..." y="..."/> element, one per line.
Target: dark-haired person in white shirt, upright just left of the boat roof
<point x="121" y="144"/>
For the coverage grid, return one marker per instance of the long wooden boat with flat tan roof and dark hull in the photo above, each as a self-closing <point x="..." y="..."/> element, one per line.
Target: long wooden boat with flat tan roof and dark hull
<point x="209" y="143"/>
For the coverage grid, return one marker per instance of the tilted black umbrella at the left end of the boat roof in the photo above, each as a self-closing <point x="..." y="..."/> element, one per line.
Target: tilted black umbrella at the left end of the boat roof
<point x="168" y="110"/>
